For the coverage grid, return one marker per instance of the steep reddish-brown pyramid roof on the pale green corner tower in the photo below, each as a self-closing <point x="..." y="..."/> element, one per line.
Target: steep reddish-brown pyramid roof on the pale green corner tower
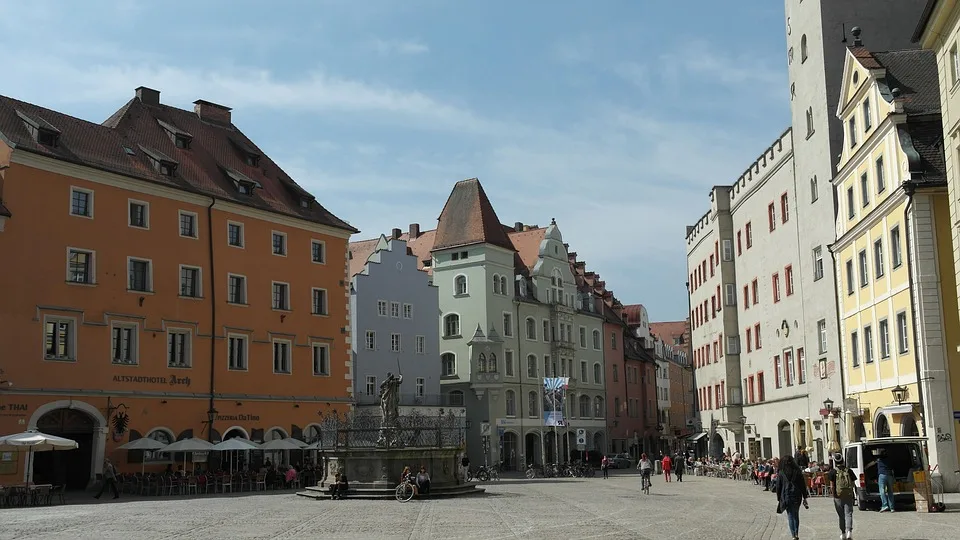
<point x="468" y="218"/>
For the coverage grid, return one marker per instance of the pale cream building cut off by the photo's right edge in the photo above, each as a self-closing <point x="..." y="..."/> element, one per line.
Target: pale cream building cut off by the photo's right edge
<point x="939" y="31"/>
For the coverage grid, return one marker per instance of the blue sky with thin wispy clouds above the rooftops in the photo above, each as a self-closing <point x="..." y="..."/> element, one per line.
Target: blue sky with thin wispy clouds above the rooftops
<point x="614" y="116"/>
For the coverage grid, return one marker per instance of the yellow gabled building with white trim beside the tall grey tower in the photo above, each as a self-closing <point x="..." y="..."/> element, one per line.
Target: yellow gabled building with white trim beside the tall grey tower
<point x="893" y="252"/>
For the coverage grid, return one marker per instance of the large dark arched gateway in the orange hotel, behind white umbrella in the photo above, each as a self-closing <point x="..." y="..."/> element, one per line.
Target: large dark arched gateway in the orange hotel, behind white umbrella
<point x="73" y="469"/>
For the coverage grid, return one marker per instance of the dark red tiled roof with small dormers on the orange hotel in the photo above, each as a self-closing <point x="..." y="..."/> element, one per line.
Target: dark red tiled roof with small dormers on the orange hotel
<point x="123" y="145"/>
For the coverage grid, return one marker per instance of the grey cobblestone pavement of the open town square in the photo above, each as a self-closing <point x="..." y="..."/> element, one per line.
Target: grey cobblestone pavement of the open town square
<point x="699" y="508"/>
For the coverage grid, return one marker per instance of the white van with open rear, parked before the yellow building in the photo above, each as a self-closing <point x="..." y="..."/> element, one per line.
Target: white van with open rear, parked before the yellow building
<point x="905" y="456"/>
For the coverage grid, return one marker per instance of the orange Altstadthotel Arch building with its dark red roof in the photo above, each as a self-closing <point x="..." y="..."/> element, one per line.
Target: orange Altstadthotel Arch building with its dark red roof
<point x="161" y="277"/>
